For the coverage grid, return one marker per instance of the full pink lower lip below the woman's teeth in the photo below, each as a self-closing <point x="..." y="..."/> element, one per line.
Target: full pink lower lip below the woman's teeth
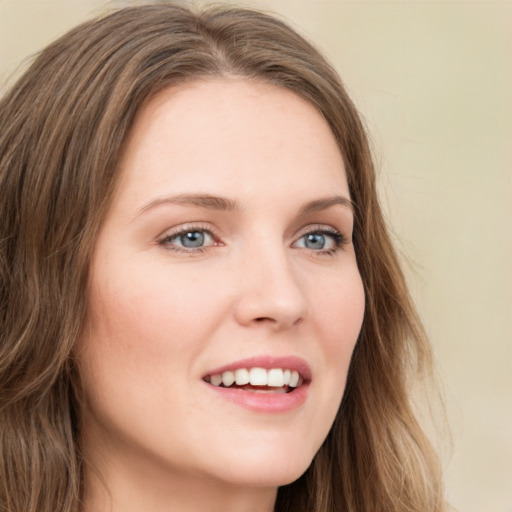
<point x="264" y="402"/>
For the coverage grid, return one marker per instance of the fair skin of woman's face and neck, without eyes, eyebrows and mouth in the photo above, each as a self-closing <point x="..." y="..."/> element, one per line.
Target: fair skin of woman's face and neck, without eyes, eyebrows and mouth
<point x="161" y="316"/>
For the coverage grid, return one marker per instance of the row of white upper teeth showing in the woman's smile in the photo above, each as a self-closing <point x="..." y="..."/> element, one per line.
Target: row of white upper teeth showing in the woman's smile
<point x="274" y="378"/>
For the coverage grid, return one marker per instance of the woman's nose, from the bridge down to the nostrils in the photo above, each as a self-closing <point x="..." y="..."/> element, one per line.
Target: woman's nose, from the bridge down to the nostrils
<point x="270" y="292"/>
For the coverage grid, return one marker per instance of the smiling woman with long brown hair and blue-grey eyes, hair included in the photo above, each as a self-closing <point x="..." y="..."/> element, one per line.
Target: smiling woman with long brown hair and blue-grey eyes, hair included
<point x="200" y="305"/>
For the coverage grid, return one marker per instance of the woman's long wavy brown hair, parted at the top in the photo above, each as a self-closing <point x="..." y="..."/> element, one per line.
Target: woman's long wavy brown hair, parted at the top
<point x="63" y="126"/>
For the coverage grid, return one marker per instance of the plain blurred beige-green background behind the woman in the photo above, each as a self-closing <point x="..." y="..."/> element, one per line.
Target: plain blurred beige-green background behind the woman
<point x="434" y="81"/>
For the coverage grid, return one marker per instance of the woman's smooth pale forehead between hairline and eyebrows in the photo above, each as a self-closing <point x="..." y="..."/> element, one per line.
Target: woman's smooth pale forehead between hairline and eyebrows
<point x="231" y="136"/>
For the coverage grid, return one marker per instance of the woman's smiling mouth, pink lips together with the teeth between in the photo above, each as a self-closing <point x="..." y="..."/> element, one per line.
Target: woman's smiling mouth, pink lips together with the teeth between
<point x="270" y="384"/>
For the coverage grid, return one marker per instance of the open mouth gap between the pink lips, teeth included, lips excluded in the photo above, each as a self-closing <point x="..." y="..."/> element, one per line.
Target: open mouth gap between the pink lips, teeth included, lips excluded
<point x="258" y="380"/>
